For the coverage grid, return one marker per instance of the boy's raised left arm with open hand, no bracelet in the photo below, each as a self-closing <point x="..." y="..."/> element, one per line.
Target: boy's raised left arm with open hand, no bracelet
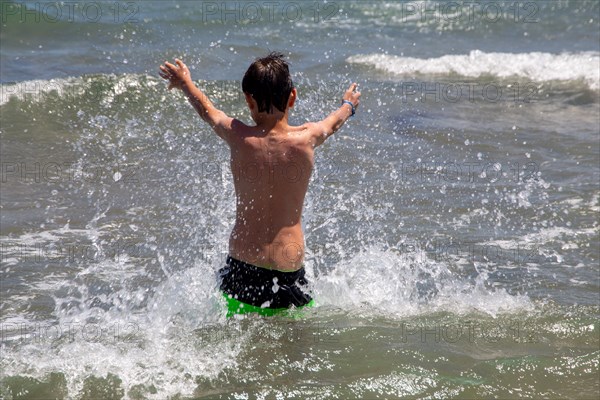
<point x="179" y="77"/>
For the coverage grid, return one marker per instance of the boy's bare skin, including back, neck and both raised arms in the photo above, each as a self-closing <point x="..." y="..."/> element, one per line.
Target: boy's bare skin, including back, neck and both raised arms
<point x="271" y="164"/>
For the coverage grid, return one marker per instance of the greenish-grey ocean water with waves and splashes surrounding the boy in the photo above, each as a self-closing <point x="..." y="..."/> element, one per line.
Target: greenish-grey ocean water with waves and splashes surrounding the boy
<point x="451" y="226"/>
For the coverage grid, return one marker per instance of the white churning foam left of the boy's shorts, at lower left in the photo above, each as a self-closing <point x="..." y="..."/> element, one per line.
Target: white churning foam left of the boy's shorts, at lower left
<point x="151" y="347"/>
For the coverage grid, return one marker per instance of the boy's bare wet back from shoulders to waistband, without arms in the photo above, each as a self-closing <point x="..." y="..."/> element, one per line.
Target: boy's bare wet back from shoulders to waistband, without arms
<point x="271" y="171"/>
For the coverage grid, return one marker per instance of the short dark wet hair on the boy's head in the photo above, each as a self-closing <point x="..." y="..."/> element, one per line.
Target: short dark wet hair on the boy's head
<point x="269" y="82"/>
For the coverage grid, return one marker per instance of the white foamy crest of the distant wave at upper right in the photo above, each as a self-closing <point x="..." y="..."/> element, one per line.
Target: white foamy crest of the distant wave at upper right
<point x="536" y="66"/>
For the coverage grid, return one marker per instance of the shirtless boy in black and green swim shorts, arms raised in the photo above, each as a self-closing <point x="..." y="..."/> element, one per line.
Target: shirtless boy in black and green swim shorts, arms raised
<point x="271" y="165"/>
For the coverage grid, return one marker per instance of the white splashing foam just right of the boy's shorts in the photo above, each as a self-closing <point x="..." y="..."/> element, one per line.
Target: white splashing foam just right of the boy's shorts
<point x="400" y="285"/>
